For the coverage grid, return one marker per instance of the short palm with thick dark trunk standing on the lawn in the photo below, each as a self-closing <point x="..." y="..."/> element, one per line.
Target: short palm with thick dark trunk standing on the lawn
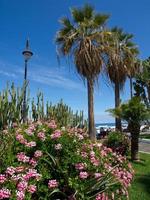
<point x="134" y="112"/>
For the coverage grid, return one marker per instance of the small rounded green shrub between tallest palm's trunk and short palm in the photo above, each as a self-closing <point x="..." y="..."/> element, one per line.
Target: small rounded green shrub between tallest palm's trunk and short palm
<point x="118" y="142"/>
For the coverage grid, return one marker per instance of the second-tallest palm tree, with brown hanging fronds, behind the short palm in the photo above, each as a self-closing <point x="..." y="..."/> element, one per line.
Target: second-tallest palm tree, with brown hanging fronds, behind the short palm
<point x="121" y="61"/>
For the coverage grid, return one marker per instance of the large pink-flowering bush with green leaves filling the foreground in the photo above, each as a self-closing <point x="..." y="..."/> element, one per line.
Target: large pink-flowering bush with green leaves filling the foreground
<point x="50" y="163"/>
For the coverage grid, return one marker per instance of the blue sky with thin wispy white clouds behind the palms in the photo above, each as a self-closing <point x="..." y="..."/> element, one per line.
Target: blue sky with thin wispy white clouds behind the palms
<point x="38" y="20"/>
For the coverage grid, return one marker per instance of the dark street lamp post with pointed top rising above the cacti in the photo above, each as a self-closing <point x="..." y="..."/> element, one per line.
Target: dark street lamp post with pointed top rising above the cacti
<point x="27" y="53"/>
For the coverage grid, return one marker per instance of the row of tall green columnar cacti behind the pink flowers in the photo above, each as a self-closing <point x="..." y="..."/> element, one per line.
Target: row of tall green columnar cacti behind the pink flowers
<point x="11" y="104"/>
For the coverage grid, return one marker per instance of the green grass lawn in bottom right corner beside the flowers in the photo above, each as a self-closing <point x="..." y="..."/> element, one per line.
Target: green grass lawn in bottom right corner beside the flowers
<point x="140" y="188"/>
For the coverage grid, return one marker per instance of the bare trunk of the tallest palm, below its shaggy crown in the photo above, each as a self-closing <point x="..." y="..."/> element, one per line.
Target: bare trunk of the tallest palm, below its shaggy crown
<point x="91" y="125"/>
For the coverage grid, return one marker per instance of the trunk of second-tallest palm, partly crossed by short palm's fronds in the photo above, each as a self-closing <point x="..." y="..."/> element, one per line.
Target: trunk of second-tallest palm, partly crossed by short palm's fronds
<point x="117" y="103"/>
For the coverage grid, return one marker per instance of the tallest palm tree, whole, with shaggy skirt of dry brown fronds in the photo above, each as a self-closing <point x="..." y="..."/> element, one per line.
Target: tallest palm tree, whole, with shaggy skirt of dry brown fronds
<point x="81" y="38"/>
